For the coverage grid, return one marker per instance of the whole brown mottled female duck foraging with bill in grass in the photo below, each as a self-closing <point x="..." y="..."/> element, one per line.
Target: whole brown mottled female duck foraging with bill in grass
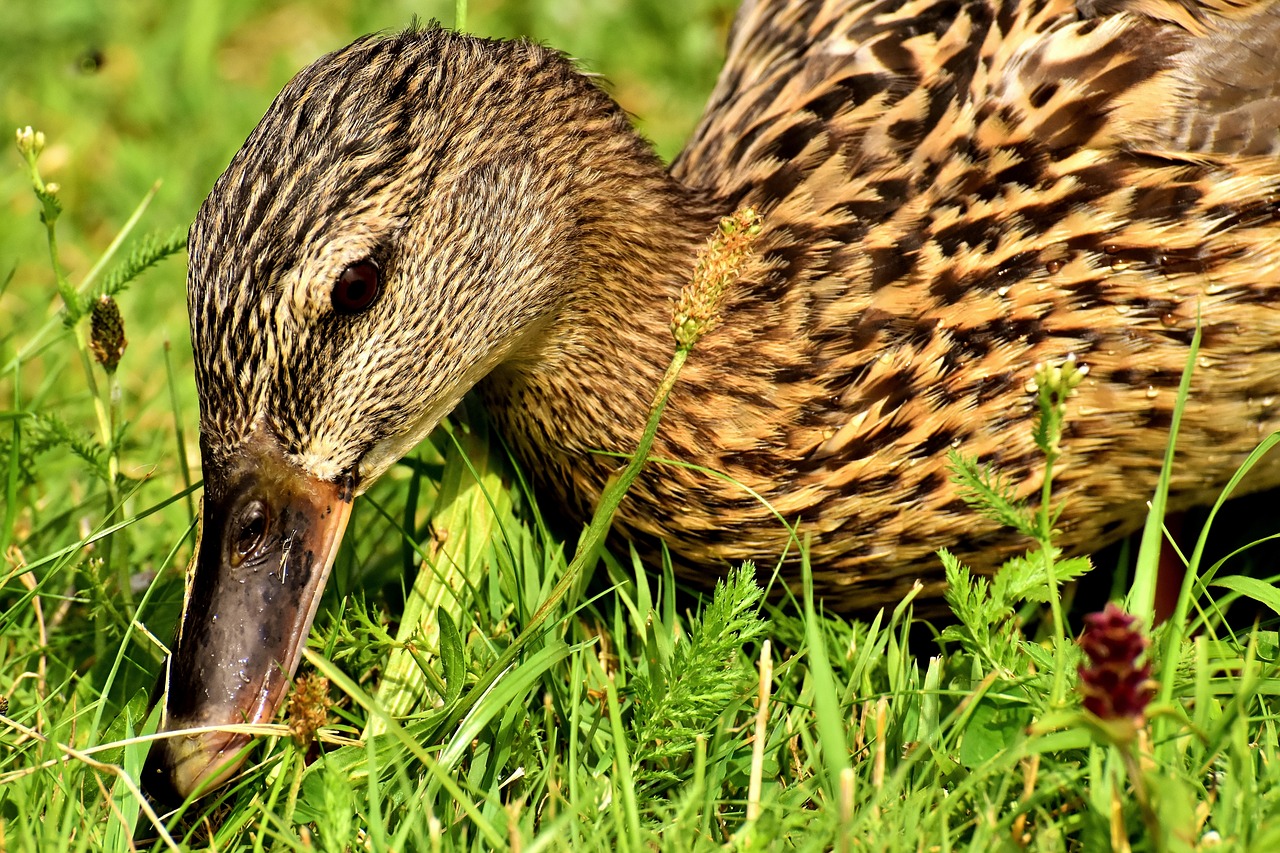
<point x="953" y="191"/>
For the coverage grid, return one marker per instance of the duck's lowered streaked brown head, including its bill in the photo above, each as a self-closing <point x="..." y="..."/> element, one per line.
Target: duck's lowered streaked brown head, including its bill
<point x="409" y="216"/>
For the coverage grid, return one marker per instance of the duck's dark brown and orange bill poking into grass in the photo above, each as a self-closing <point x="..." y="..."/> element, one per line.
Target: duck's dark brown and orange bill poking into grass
<point x="269" y="535"/>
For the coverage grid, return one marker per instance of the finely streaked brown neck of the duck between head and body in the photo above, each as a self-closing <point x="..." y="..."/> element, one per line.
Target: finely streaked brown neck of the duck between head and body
<point x="587" y="381"/>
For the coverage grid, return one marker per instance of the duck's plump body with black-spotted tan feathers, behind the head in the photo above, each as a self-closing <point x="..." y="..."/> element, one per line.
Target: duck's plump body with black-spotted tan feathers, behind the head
<point x="952" y="195"/>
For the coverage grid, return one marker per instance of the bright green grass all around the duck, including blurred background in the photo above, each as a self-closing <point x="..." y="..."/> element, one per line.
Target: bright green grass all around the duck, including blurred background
<point x="487" y="692"/>
